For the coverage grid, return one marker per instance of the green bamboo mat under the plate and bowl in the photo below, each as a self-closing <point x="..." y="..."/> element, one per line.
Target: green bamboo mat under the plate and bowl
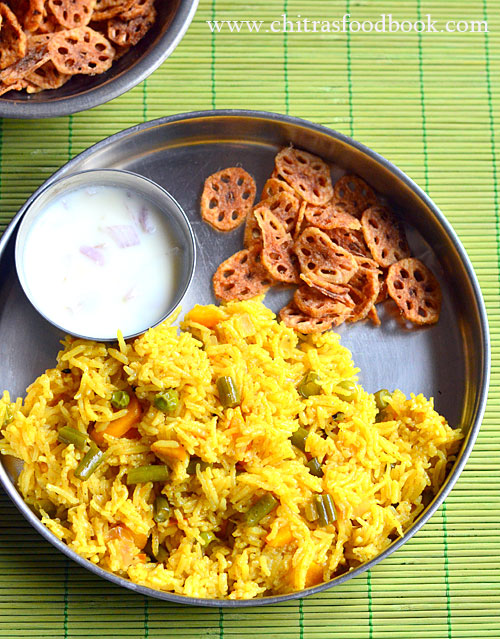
<point x="428" y="102"/>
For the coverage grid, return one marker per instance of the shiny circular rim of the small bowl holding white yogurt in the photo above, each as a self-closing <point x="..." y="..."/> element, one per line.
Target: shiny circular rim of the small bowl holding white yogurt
<point x="181" y="215"/>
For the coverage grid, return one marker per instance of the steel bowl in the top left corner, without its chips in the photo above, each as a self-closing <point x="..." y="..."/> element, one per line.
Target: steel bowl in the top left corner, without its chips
<point x="84" y="92"/>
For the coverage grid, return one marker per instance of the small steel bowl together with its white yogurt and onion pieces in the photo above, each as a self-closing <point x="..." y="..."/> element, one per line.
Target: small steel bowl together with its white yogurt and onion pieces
<point x="105" y="251"/>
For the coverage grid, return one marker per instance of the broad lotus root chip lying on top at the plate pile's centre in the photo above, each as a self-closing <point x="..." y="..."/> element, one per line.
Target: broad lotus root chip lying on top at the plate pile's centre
<point x="325" y="263"/>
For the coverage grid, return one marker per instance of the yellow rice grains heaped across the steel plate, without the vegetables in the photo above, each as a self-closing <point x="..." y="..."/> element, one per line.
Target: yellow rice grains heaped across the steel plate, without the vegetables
<point x="379" y="474"/>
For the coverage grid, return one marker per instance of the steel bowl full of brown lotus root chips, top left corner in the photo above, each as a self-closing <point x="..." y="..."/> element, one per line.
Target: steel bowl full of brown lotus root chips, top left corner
<point x="57" y="59"/>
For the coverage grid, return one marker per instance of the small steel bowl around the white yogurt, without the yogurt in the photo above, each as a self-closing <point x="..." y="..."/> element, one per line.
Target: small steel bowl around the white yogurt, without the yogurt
<point x="178" y="224"/>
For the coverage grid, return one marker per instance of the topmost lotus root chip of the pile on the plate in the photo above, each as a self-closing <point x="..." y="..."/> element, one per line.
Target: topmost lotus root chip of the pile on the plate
<point x="306" y="173"/>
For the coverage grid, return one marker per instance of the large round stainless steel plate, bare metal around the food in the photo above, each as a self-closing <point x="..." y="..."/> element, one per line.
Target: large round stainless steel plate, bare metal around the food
<point x="449" y="361"/>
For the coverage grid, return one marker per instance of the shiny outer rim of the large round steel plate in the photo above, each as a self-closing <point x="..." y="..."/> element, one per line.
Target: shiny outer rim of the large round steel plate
<point x="483" y="372"/>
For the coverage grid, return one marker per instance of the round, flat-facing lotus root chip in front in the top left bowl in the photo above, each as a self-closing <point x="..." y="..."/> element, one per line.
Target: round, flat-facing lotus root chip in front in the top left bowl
<point x="80" y="50"/>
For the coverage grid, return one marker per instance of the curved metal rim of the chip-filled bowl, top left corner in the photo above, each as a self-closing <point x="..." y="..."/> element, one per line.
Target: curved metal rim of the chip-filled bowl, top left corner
<point x="26" y="110"/>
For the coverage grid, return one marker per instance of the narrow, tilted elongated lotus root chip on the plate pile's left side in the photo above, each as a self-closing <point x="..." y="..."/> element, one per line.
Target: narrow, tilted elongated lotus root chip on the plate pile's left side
<point x="277" y="247"/>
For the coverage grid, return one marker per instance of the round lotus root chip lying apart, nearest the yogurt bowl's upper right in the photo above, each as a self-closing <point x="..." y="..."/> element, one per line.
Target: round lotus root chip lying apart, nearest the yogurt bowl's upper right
<point x="227" y="198"/>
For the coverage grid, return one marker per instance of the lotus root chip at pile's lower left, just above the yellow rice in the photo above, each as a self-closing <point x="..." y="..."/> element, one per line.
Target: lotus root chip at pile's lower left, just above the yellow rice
<point x="241" y="277"/>
